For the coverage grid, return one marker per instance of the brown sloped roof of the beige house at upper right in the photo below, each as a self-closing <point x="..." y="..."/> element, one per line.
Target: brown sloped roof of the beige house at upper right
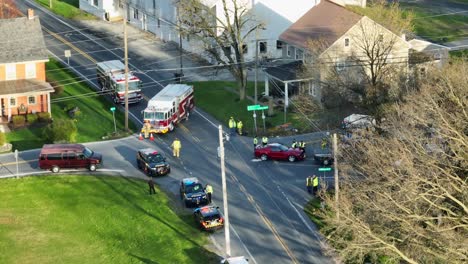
<point x="327" y="21"/>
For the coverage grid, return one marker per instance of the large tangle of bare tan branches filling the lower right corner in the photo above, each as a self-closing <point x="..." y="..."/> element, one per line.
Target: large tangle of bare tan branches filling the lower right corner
<point x="405" y="193"/>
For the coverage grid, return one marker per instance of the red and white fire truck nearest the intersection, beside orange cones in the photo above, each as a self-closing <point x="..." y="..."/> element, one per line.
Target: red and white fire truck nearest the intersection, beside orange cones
<point x="167" y="108"/>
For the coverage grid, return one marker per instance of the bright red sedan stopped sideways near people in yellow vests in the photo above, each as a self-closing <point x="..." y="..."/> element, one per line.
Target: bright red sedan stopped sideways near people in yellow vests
<point x="278" y="151"/>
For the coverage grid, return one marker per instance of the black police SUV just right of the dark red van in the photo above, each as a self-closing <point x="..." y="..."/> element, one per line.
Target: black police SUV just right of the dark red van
<point x="152" y="162"/>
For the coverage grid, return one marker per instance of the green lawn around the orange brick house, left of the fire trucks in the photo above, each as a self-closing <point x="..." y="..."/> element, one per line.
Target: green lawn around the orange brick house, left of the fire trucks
<point x="94" y="122"/>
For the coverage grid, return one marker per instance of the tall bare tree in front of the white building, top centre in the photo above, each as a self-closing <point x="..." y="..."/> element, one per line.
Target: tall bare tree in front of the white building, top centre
<point x="223" y="35"/>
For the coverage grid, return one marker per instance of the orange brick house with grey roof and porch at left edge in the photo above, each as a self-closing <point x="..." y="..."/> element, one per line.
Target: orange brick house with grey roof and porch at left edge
<point x="23" y="86"/>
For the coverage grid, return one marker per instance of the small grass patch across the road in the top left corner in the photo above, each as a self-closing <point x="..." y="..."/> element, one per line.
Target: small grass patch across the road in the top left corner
<point x="67" y="8"/>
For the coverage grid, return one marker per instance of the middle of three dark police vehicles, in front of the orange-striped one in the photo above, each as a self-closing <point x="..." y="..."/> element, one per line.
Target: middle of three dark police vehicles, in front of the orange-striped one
<point x="192" y="192"/>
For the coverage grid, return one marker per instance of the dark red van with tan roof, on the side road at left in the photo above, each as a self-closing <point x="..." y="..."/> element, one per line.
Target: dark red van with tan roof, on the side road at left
<point x="56" y="156"/>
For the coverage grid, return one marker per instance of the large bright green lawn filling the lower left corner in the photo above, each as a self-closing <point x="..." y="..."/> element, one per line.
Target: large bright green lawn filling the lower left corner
<point x="94" y="219"/>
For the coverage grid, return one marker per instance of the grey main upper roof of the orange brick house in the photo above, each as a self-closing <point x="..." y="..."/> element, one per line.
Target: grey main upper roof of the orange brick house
<point x="22" y="40"/>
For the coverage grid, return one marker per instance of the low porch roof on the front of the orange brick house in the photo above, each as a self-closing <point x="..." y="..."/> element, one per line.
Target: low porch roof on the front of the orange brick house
<point x="24" y="86"/>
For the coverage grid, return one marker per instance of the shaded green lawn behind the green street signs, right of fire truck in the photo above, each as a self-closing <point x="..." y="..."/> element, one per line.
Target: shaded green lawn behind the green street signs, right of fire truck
<point x="222" y="103"/>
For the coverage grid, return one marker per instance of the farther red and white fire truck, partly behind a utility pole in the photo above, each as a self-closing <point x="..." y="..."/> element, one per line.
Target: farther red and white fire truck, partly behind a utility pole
<point x="111" y="78"/>
